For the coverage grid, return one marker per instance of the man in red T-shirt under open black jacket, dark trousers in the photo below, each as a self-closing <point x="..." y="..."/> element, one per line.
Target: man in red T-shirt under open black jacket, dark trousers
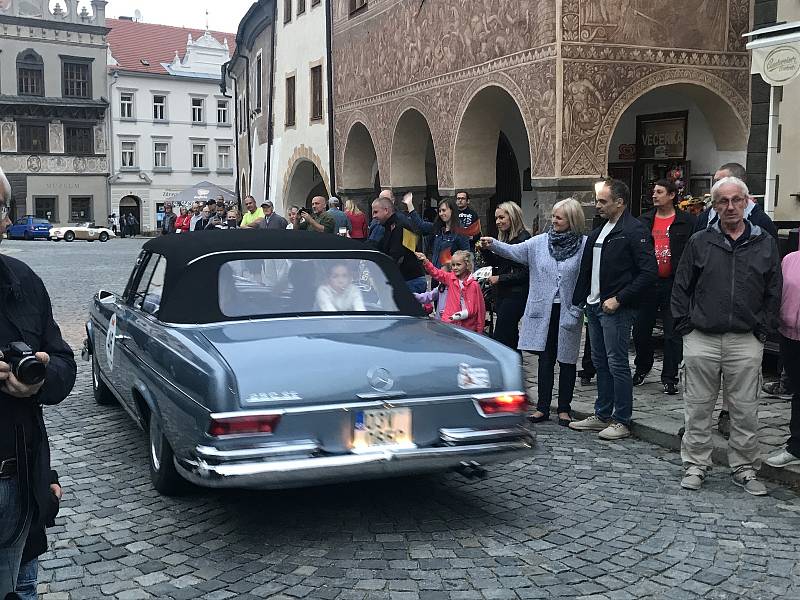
<point x="670" y="230"/>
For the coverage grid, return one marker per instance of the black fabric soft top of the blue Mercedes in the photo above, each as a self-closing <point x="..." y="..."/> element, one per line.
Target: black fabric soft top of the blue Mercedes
<point x="190" y="293"/>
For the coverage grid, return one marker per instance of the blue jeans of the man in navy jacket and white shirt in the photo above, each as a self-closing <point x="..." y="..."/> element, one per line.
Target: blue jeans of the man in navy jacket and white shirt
<point x="610" y="336"/>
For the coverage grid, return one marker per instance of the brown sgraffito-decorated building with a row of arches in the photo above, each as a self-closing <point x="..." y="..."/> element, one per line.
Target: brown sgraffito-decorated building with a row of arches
<point x="534" y="100"/>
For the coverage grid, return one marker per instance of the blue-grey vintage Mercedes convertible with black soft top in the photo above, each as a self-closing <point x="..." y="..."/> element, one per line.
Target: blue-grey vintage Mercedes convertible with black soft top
<point x="293" y="359"/>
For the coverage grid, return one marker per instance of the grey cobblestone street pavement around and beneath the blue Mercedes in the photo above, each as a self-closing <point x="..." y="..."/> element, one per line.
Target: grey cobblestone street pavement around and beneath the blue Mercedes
<point x="580" y="519"/>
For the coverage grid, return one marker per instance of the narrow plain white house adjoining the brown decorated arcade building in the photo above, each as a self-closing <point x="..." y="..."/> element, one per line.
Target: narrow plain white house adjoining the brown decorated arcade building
<point x="301" y="158"/>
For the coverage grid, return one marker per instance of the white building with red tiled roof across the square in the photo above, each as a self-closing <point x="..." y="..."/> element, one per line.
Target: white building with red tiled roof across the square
<point x="171" y="127"/>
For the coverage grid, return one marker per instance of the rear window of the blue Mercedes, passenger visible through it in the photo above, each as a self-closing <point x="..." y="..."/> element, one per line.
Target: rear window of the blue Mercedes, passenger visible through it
<point x="278" y="286"/>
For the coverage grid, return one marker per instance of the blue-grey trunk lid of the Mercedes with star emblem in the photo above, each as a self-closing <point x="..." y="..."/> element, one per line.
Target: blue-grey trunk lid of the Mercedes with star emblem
<point x="327" y="360"/>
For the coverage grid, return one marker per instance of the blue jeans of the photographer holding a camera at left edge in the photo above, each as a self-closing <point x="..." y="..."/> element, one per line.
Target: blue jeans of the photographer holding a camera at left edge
<point x="11" y="512"/>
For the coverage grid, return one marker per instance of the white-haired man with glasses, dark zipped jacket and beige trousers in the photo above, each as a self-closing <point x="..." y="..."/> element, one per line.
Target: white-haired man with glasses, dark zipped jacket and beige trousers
<point x="725" y="302"/>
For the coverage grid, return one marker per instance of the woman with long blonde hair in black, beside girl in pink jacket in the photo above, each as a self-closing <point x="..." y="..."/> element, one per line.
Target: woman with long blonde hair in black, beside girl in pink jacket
<point x="509" y="278"/>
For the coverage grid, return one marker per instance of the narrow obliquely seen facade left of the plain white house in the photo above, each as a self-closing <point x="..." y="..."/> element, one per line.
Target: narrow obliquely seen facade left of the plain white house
<point x="251" y="70"/>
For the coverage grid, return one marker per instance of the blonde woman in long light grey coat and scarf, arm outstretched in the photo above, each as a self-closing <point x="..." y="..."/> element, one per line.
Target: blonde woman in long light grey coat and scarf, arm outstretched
<point x="550" y="332"/>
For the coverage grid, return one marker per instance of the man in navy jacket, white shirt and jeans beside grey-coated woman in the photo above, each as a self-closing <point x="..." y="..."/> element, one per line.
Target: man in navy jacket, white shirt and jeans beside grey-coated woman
<point x="617" y="268"/>
